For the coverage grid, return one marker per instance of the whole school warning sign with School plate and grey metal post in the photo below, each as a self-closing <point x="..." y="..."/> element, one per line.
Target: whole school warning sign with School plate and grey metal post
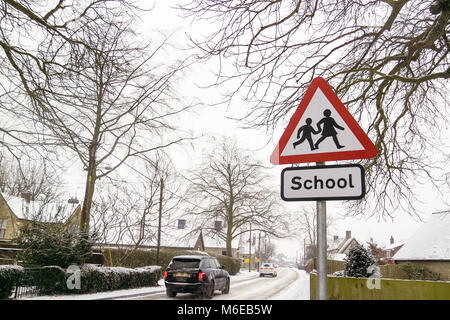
<point x="341" y="138"/>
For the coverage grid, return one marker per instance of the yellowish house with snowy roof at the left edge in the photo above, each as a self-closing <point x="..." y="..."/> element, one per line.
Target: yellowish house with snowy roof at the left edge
<point x="16" y="211"/>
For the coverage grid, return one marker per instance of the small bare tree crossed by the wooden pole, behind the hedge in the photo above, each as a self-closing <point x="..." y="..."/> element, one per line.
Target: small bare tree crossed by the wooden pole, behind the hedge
<point x="126" y="214"/>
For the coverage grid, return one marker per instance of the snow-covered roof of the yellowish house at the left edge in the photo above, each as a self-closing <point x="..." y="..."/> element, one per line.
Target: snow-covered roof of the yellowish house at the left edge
<point x="43" y="210"/>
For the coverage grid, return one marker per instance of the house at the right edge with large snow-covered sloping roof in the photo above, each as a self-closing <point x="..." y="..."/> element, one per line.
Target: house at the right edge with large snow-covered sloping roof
<point x="429" y="246"/>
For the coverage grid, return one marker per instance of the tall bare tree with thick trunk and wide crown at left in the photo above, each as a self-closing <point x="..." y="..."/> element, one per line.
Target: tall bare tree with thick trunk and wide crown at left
<point x="79" y="75"/>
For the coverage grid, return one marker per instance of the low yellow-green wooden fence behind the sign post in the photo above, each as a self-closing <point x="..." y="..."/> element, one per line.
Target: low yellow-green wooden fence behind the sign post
<point x="346" y="288"/>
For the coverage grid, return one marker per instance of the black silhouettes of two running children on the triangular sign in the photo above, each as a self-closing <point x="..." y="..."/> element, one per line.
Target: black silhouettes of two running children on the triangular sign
<point x="328" y="130"/>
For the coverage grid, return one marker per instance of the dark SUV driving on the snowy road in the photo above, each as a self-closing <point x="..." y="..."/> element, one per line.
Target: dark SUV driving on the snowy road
<point x="196" y="274"/>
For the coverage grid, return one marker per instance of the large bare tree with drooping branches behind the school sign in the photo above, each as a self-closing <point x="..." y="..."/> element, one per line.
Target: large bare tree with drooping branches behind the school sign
<point x="387" y="60"/>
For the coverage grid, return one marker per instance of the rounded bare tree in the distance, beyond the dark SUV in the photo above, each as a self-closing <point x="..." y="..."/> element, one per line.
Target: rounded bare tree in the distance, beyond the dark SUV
<point x="229" y="187"/>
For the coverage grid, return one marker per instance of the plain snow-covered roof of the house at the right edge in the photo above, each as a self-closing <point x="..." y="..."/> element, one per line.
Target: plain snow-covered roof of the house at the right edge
<point x="430" y="242"/>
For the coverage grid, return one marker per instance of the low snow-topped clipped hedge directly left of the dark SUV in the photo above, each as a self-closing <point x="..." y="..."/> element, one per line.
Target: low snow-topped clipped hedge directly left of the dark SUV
<point x="95" y="278"/>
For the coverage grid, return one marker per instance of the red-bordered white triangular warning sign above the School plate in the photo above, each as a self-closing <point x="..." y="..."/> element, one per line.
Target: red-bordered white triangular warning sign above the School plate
<point x="322" y="129"/>
